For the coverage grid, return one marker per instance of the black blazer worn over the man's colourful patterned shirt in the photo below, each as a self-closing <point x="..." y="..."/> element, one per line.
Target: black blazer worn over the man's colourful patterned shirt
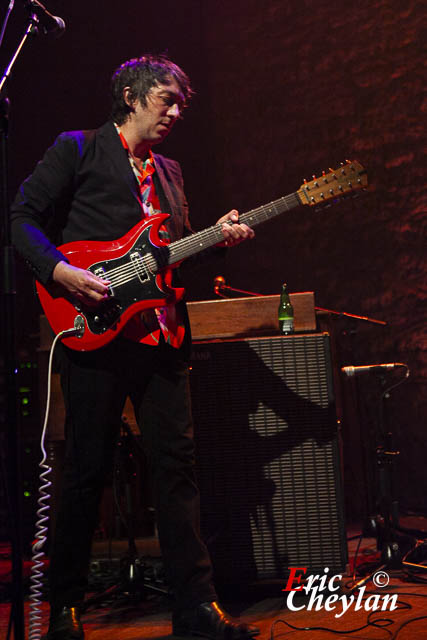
<point x="84" y="189"/>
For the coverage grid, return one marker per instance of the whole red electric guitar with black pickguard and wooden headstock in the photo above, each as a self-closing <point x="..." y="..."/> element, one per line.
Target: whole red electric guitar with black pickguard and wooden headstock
<point x="139" y="265"/>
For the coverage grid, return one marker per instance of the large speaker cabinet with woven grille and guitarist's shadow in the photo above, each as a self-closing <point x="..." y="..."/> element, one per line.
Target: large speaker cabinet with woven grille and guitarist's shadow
<point x="268" y="457"/>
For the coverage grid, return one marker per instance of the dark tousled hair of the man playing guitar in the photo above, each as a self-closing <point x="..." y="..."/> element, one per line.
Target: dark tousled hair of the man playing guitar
<point x="141" y="74"/>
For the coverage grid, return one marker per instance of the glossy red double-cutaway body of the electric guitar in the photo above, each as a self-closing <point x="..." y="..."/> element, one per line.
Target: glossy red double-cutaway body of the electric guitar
<point x="136" y="265"/>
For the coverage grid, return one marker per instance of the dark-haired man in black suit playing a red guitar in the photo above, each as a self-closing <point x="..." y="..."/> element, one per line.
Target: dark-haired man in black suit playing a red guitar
<point x="96" y="186"/>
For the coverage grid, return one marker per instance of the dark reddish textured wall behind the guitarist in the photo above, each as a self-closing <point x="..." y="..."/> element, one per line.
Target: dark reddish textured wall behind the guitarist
<point x="284" y="90"/>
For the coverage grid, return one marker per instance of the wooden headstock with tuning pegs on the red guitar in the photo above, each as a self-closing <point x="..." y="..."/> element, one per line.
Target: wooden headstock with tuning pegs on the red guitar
<point x="350" y="176"/>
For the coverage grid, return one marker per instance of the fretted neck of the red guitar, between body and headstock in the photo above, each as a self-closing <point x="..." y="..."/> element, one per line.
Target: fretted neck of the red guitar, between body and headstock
<point x="197" y="242"/>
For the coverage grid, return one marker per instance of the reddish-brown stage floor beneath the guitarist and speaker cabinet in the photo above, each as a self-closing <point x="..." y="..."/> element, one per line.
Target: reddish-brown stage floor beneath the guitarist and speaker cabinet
<point x="121" y="619"/>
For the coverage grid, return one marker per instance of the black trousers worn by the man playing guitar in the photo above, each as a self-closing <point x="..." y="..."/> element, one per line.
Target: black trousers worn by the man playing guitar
<point x="95" y="386"/>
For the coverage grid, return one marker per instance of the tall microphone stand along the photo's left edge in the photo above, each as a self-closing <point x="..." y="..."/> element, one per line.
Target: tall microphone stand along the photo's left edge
<point x="10" y="427"/>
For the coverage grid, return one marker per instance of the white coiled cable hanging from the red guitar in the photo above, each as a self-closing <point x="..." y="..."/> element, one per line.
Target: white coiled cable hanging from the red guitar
<point x="36" y="585"/>
